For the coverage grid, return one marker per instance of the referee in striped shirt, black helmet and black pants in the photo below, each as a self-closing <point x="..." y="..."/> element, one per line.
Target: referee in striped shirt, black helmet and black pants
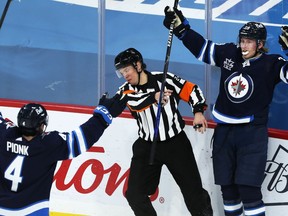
<point x="173" y="147"/>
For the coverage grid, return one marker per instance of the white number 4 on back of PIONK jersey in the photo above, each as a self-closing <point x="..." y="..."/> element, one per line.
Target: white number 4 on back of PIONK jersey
<point x="13" y="172"/>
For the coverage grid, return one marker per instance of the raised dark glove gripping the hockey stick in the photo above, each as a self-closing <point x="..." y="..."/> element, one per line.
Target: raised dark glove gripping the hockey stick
<point x="181" y="24"/>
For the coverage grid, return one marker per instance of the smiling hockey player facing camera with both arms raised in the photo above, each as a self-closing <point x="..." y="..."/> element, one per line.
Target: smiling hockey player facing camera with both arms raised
<point x="248" y="78"/>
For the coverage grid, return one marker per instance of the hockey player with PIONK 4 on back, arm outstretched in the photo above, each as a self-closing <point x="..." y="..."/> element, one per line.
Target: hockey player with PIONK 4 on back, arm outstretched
<point x="29" y="154"/>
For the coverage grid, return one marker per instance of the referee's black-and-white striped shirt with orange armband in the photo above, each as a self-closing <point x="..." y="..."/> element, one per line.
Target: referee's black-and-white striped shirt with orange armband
<point x="143" y="106"/>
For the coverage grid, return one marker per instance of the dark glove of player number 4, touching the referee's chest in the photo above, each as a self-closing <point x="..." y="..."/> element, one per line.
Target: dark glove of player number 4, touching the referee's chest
<point x="115" y="105"/>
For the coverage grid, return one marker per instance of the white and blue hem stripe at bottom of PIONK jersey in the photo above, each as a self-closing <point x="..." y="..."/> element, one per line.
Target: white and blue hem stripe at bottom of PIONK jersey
<point x="42" y="209"/>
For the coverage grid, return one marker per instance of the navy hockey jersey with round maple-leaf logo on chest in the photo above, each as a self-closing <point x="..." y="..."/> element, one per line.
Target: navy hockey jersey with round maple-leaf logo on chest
<point x="246" y="86"/>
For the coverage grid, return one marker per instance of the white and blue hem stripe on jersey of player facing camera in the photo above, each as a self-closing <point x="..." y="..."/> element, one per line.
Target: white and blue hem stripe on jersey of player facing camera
<point x="224" y="119"/>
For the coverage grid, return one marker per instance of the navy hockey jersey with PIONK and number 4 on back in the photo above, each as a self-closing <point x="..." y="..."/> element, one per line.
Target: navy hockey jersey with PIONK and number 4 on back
<point x="27" y="167"/>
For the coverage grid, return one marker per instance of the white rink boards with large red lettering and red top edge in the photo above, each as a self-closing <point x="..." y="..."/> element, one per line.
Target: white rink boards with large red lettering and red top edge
<point x="94" y="183"/>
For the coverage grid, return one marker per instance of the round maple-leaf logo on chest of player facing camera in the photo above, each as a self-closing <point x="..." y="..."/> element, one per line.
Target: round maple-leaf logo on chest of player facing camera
<point x="239" y="87"/>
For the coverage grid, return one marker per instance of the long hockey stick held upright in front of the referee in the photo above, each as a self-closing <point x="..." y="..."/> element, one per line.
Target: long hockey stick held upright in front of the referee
<point x="167" y="57"/>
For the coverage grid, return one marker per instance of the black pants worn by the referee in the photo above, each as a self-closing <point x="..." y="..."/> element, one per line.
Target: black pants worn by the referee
<point x="177" y="154"/>
